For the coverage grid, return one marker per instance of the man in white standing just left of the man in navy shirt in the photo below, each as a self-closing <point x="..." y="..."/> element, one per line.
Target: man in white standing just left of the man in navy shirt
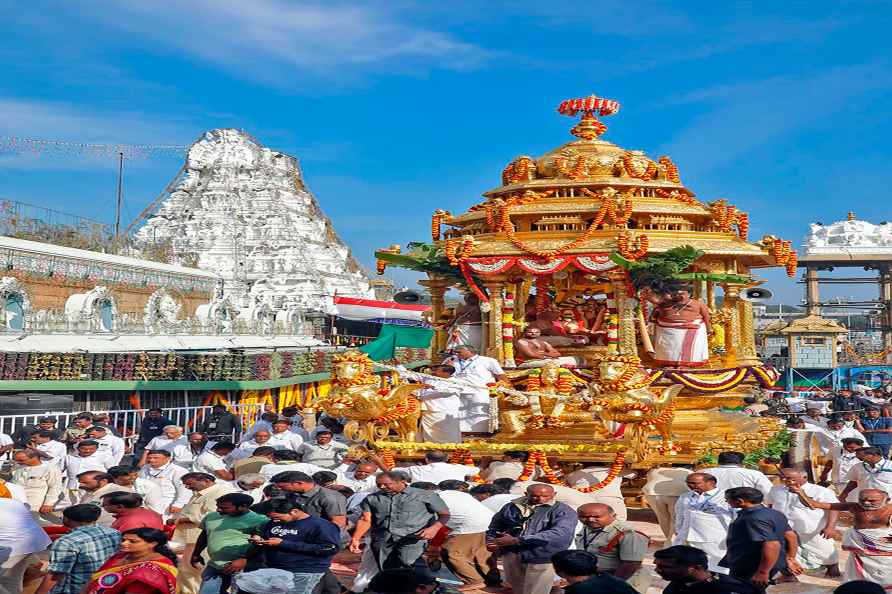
<point x="702" y="517"/>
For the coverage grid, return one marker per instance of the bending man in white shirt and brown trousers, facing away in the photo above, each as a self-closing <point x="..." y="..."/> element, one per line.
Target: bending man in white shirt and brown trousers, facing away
<point x="464" y="550"/>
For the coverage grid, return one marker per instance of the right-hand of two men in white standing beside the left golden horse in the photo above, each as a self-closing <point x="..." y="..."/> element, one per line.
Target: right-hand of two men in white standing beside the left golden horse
<point x="480" y="371"/>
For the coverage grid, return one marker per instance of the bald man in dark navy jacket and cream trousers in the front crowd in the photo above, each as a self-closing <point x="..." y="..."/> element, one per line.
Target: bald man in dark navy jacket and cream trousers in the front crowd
<point x="527" y="532"/>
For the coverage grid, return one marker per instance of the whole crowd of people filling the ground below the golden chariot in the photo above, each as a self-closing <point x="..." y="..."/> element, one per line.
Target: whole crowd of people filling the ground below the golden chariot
<point x="220" y="510"/>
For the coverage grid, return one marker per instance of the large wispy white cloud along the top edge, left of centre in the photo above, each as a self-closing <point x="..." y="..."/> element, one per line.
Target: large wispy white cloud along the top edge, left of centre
<point x="278" y="40"/>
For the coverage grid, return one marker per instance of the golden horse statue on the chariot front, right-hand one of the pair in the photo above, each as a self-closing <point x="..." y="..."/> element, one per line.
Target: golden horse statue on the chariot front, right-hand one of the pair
<point x="620" y="394"/>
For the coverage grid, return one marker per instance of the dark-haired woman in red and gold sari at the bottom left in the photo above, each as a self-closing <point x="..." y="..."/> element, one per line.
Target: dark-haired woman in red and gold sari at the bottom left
<point x="143" y="565"/>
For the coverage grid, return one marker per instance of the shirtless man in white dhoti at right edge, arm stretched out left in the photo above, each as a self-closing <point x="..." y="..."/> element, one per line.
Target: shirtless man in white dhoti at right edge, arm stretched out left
<point x="869" y="541"/>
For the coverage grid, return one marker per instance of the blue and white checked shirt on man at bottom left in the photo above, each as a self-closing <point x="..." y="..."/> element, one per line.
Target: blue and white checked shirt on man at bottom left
<point x="79" y="554"/>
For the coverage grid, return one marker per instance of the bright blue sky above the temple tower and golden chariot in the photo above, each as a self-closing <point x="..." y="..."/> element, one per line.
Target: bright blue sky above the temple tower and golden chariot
<point x="397" y="108"/>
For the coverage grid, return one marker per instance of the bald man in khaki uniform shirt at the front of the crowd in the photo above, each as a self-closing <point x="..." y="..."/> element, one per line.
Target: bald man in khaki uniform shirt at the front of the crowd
<point x="619" y="548"/>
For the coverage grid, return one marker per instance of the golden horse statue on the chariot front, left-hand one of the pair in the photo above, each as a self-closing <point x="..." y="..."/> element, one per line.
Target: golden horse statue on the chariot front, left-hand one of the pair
<point x="372" y="411"/>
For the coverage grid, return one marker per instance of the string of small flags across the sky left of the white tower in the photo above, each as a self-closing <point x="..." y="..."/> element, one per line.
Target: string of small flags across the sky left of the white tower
<point x="38" y="147"/>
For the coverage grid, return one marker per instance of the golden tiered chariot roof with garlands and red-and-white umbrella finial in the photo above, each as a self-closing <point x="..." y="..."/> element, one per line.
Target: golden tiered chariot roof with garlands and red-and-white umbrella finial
<point x="590" y="197"/>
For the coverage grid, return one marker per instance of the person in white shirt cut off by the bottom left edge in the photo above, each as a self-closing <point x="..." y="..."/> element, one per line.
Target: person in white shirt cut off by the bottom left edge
<point x="20" y="538"/>
